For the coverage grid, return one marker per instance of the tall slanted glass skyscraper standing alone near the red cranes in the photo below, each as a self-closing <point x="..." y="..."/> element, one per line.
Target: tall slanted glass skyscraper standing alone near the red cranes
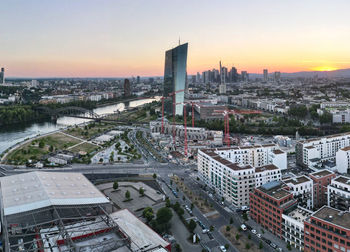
<point x="175" y="78"/>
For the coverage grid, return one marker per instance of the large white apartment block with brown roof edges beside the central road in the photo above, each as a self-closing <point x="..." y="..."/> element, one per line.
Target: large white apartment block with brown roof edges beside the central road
<point x="234" y="181"/>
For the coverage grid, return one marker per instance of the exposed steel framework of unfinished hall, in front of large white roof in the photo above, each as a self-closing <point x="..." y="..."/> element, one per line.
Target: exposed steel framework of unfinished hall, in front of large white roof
<point x="63" y="228"/>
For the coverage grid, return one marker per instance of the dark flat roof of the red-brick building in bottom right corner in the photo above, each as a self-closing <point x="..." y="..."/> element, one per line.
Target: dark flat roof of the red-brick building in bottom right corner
<point x="333" y="216"/>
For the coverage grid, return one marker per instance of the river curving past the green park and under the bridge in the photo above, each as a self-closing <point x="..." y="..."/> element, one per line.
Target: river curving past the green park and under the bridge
<point x="11" y="135"/>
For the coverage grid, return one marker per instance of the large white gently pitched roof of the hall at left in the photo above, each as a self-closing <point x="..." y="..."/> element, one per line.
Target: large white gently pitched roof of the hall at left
<point x="35" y="190"/>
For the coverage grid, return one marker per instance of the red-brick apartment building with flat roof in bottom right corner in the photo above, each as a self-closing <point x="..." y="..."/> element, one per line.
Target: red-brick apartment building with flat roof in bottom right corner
<point x="326" y="230"/>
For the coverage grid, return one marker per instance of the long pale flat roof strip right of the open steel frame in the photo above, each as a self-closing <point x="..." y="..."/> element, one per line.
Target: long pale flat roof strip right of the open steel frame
<point x="141" y="235"/>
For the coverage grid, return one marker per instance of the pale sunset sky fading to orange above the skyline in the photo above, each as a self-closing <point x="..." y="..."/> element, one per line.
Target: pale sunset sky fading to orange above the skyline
<point x="122" y="38"/>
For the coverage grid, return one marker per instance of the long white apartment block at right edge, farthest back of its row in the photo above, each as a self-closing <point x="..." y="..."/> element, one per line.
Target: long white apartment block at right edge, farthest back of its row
<point x="323" y="148"/>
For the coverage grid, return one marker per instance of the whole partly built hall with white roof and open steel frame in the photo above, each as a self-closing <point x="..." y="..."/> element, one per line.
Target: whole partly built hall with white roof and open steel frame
<point x="52" y="211"/>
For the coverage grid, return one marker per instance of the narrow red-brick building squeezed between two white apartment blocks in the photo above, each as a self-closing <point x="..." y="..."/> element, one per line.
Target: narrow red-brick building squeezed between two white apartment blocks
<point x="321" y="179"/>
